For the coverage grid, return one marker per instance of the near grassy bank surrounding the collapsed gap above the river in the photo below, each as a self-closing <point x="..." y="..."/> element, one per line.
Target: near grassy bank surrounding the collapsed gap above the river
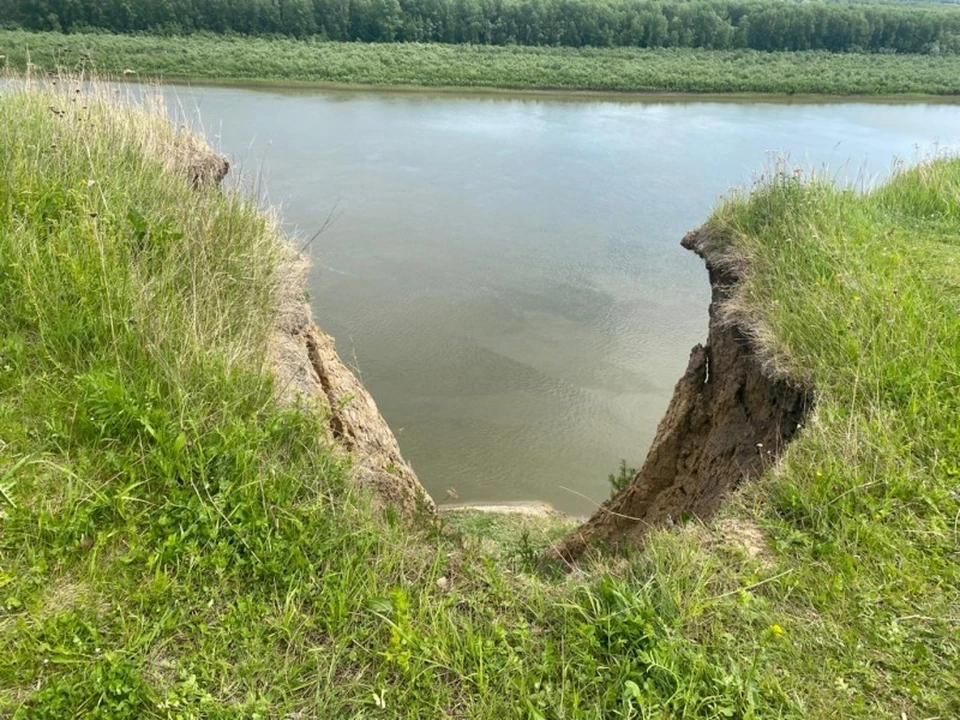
<point x="173" y="544"/>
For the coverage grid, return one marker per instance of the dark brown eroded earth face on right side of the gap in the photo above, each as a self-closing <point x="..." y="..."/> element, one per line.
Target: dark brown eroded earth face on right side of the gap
<point x="728" y="420"/>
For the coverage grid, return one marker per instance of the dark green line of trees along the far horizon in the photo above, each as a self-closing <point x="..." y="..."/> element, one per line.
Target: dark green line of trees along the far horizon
<point x="717" y="24"/>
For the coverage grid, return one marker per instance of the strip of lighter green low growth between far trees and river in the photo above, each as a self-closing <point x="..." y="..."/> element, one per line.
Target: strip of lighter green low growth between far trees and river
<point x="617" y="69"/>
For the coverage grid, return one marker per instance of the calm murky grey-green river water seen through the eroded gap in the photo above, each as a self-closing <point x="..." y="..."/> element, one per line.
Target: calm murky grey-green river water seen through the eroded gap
<point x="505" y="272"/>
